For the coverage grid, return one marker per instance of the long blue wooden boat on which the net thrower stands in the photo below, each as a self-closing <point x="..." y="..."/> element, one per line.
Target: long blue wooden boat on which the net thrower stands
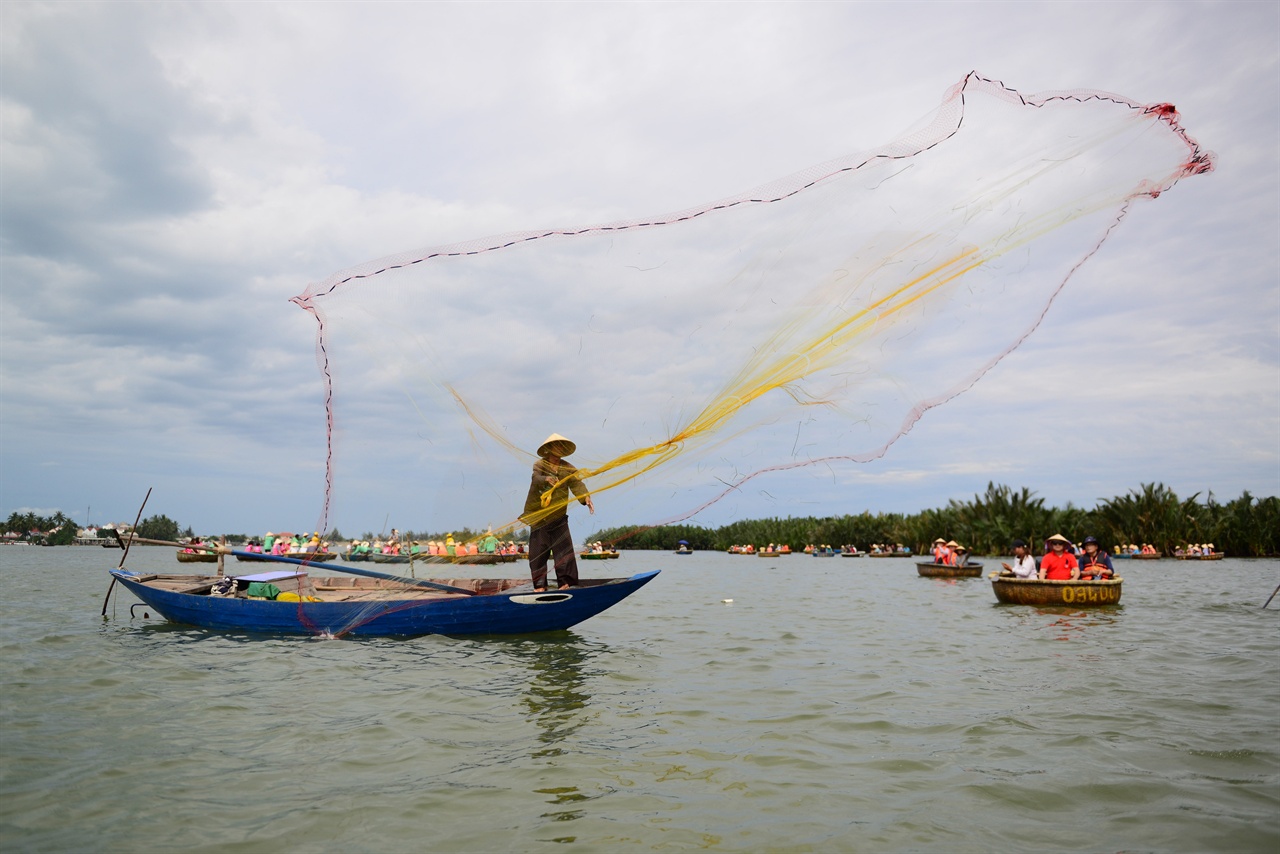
<point x="377" y="605"/>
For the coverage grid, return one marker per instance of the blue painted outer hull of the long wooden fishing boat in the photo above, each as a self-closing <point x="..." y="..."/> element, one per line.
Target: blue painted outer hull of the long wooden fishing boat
<point x="518" y="611"/>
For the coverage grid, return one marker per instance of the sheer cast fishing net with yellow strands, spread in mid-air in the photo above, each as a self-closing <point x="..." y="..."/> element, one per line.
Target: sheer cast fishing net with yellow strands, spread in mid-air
<point x="732" y="349"/>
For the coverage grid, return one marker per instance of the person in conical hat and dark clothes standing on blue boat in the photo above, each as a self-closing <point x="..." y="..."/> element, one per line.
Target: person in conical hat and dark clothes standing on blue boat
<point x="547" y="513"/>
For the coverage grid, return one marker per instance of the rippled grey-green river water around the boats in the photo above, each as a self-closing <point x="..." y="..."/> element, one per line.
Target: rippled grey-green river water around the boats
<point x="831" y="706"/>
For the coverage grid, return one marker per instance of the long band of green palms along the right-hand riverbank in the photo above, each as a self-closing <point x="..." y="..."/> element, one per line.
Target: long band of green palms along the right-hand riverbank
<point x="1154" y="514"/>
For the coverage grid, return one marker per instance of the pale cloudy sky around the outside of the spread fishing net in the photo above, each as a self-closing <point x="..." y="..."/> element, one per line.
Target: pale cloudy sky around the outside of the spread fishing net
<point x="173" y="173"/>
